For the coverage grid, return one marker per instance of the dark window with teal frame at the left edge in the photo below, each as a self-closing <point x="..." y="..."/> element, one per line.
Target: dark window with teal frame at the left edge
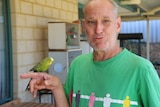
<point x="6" y="86"/>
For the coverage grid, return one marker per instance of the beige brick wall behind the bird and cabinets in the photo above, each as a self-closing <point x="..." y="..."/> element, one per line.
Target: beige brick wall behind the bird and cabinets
<point x="29" y="32"/>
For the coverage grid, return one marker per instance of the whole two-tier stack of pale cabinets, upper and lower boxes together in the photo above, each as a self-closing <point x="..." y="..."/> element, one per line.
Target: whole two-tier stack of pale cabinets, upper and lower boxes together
<point x="64" y="46"/>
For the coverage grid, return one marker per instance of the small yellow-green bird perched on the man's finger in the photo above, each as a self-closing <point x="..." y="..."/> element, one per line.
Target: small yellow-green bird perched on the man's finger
<point x="41" y="66"/>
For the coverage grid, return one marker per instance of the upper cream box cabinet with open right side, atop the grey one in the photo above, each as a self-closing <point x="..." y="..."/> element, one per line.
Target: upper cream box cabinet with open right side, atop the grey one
<point x="63" y="35"/>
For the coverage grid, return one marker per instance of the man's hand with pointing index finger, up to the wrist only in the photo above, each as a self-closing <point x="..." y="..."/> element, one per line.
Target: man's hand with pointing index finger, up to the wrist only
<point x="42" y="81"/>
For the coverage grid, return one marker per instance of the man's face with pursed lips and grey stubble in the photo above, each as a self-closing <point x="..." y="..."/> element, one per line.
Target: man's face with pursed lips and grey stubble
<point x="101" y="25"/>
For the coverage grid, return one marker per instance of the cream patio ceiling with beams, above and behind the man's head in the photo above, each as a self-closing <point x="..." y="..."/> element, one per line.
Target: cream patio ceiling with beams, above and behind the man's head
<point x="137" y="9"/>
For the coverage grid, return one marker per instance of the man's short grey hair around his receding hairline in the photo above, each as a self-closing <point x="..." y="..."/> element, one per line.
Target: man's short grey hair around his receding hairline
<point x="114" y="4"/>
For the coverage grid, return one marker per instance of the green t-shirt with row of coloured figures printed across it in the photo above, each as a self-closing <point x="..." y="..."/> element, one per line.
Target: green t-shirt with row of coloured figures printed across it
<point x="125" y="80"/>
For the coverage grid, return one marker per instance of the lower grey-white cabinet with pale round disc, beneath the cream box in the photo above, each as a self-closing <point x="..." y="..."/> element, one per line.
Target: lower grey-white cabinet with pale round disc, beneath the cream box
<point x="62" y="61"/>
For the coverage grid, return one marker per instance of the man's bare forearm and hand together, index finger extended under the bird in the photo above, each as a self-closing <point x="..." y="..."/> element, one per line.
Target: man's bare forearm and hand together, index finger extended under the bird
<point x="45" y="81"/>
